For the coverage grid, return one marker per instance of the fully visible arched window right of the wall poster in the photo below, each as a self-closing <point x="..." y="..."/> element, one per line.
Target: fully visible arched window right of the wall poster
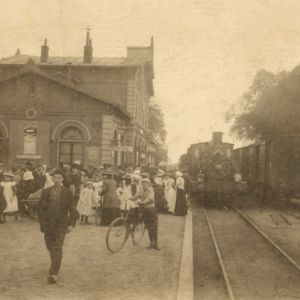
<point x="71" y="146"/>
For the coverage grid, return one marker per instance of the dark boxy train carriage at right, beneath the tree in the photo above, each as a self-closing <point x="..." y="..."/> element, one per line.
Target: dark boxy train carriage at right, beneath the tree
<point x="272" y="166"/>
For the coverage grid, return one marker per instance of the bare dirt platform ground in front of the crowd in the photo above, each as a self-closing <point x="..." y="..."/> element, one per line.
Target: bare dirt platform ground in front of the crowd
<point x="88" y="270"/>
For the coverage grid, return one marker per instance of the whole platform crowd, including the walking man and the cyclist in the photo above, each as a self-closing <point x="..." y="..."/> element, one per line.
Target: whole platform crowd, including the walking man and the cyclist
<point x="63" y="196"/>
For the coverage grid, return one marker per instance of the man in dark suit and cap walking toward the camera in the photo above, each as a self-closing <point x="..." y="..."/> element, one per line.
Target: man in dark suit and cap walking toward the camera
<point x="56" y="213"/>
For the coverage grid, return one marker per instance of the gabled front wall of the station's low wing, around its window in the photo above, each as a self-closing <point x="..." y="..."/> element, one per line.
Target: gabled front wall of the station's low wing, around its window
<point x="55" y="107"/>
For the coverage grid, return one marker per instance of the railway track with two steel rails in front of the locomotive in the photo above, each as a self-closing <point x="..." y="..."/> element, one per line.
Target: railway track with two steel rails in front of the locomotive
<point x="253" y="266"/>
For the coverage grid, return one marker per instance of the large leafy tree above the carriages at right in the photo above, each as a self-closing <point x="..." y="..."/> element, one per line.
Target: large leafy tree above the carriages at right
<point x="269" y="108"/>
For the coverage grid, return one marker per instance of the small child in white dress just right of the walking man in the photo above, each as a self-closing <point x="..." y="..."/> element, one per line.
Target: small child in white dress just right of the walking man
<point x="85" y="203"/>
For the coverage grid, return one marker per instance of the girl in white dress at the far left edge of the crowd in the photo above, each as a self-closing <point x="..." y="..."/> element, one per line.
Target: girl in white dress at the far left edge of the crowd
<point x="9" y="192"/>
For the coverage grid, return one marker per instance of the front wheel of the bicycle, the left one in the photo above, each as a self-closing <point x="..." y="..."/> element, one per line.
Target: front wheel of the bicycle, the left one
<point x="117" y="235"/>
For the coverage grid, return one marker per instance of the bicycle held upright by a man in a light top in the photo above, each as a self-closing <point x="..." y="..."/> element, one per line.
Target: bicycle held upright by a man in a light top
<point x="121" y="228"/>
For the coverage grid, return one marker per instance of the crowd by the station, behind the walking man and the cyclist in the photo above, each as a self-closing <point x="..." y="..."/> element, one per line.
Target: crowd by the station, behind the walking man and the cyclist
<point x="103" y="192"/>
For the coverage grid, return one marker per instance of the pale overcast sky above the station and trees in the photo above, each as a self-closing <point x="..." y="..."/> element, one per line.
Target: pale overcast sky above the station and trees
<point x="206" y="51"/>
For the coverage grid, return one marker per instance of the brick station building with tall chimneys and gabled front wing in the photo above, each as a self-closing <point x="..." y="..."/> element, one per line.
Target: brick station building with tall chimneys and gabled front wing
<point x="85" y="110"/>
